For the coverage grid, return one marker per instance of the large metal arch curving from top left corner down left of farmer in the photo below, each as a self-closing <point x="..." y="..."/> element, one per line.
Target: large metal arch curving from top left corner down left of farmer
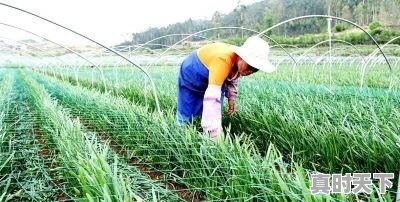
<point x="98" y="43"/>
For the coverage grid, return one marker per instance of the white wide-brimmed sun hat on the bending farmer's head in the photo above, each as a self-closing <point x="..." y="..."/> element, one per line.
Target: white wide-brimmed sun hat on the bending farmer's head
<point x="255" y="52"/>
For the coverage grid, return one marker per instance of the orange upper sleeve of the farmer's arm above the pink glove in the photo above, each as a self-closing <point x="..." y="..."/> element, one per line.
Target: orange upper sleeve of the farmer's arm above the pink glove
<point x="219" y="70"/>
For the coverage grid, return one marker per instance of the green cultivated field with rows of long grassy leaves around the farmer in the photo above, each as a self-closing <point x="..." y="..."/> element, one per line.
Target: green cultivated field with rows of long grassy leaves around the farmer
<point x="67" y="134"/>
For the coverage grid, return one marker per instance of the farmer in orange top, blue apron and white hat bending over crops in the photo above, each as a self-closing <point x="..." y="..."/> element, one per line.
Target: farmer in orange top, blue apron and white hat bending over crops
<point x="212" y="71"/>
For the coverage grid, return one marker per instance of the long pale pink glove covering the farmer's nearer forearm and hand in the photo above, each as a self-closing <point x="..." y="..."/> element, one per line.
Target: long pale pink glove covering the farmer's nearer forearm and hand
<point x="211" y="117"/>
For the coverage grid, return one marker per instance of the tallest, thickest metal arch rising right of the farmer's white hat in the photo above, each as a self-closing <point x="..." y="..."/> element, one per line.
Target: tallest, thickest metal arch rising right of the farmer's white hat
<point x="331" y="17"/>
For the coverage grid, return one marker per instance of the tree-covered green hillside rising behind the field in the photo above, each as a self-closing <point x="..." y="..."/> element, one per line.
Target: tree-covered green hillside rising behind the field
<point x="261" y="15"/>
